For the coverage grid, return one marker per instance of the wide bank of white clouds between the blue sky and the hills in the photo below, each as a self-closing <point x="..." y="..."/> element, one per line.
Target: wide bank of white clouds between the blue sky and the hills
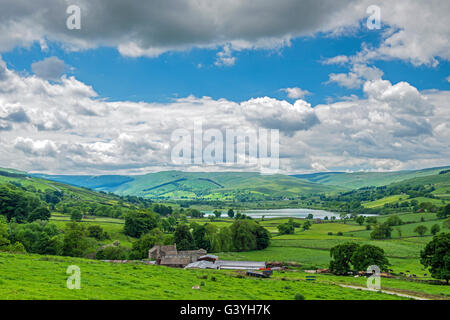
<point x="64" y="127"/>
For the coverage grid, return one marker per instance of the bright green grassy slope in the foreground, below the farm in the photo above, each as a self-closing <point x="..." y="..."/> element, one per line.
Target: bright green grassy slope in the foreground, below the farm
<point x="44" y="277"/>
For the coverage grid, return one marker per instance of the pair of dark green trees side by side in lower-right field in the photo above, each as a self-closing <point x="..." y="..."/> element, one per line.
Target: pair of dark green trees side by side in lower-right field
<point x="351" y="256"/>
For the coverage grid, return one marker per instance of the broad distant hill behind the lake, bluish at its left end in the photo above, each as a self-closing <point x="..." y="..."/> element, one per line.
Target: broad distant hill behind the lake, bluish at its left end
<point x="189" y="185"/>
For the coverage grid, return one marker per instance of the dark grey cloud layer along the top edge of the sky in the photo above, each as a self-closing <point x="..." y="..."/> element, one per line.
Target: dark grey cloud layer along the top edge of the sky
<point x="138" y="28"/>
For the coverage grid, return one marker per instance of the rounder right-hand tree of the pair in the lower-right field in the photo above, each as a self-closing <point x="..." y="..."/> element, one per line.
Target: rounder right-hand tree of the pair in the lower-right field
<point x="368" y="255"/>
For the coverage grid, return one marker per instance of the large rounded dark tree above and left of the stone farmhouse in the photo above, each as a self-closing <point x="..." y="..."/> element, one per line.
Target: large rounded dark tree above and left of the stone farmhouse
<point x="141" y="222"/>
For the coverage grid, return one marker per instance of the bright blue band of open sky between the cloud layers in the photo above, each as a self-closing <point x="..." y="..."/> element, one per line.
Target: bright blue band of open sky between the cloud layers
<point x="255" y="73"/>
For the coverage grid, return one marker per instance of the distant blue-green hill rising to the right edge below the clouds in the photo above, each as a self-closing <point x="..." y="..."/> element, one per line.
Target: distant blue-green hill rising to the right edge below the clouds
<point x="357" y="180"/>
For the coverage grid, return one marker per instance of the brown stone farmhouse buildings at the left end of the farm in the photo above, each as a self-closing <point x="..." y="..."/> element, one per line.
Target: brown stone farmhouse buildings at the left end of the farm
<point x="170" y="256"/>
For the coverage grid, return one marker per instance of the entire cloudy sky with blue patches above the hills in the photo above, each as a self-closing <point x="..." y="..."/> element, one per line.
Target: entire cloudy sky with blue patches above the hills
<point x="106" y="98"/>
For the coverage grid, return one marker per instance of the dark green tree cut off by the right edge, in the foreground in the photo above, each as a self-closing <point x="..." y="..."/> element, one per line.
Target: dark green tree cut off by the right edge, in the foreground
<point x="436" y="256"/>
